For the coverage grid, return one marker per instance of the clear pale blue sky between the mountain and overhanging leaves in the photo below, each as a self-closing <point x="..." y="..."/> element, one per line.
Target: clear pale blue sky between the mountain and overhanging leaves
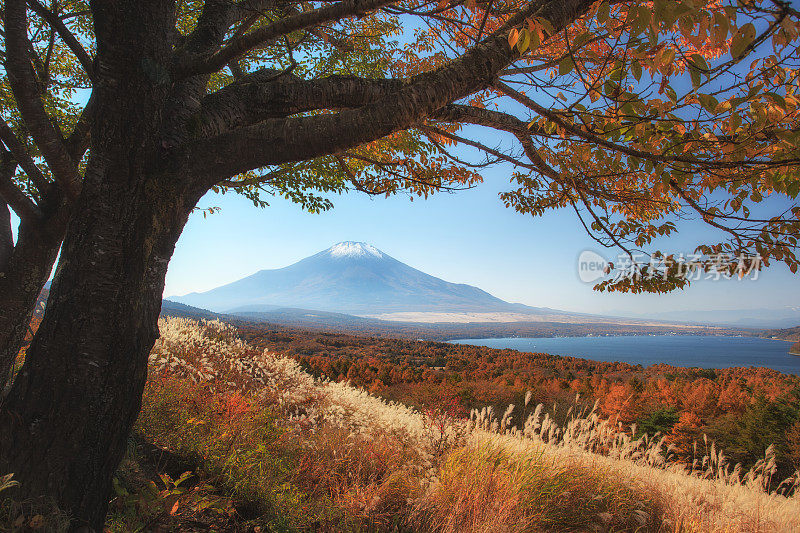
<point x="465" y="237"/>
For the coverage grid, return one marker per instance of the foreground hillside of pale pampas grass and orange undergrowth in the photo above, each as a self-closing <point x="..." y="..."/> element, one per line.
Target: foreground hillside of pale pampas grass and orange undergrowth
<point x="232" y="438"/>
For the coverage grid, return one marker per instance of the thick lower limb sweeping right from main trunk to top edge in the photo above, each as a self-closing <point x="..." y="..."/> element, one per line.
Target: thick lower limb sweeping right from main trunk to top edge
<point x="277" y="141"/>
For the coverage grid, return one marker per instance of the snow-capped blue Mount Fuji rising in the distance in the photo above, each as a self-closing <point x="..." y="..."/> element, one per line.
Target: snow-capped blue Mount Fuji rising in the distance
<point x="353" y="278"/>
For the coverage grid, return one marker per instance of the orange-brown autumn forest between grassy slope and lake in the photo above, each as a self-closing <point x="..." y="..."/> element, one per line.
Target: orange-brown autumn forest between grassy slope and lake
<point x="682" y="403"/>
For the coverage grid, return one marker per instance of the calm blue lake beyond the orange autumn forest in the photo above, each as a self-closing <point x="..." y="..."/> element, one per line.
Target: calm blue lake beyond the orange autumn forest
<point x="678" y="350"/>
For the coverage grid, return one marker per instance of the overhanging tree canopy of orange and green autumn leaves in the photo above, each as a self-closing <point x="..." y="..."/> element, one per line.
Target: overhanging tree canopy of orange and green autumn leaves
<point x="632" y="115"/>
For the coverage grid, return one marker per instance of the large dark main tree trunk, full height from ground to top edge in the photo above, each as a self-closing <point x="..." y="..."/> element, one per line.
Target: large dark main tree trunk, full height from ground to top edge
<point x="65" y="421"/>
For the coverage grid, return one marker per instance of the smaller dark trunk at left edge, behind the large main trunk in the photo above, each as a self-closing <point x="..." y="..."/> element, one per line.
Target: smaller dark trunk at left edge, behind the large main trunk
<point x="22" y="277"/>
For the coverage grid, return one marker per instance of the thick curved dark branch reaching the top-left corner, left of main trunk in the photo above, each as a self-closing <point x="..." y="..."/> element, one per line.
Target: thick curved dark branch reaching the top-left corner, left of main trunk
<point x="23" y="83"/>
